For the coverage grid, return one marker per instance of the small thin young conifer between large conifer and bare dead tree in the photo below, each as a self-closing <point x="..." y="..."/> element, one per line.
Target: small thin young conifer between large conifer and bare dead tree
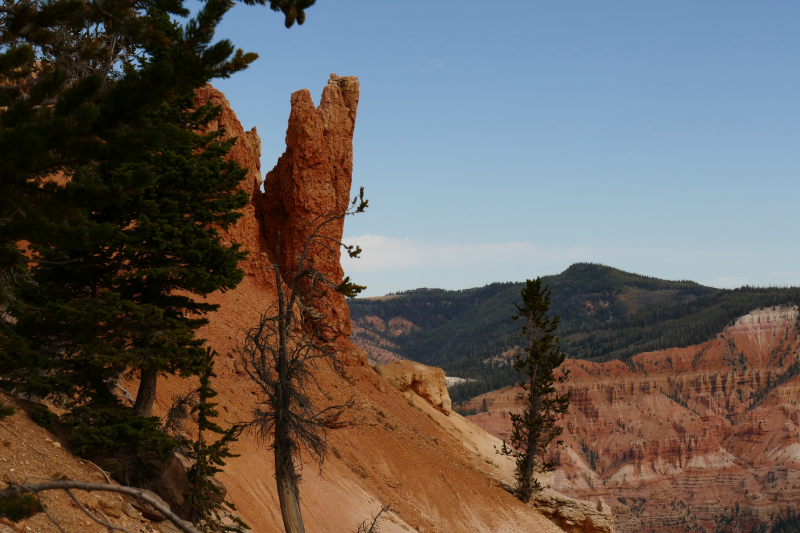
<point x="205" y="498"/>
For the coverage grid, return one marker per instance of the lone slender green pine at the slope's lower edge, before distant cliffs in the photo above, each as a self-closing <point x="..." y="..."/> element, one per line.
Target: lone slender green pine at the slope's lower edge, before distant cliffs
<point x="535" y="428"/>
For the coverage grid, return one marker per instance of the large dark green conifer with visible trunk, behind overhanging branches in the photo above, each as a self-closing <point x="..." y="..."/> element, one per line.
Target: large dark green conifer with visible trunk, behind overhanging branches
<point x="119" y="308"/>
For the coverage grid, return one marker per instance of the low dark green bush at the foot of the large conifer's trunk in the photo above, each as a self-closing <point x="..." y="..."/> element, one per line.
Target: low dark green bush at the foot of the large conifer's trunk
<point x="133" y="448"/>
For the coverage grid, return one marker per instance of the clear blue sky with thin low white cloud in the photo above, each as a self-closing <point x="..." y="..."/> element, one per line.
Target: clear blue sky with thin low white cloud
<point x="498" y="141"/>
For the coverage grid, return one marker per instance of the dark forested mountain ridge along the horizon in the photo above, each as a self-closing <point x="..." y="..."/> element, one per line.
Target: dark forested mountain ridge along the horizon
<point x="605" y="314"/>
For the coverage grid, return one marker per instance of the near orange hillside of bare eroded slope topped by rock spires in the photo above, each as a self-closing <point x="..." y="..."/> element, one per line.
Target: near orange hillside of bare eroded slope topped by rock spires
<point x="439" y="472"/>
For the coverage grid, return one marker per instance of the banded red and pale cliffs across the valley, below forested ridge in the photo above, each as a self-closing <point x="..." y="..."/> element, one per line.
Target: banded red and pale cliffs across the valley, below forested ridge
<point x="686" y="438"/>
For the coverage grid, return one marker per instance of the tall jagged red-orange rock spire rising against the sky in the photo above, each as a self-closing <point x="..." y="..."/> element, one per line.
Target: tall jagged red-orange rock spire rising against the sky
<point x="313" y="178"/>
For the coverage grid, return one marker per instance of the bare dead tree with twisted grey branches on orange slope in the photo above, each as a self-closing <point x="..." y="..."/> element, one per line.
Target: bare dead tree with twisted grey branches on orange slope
<point x="282" y="353"/>
